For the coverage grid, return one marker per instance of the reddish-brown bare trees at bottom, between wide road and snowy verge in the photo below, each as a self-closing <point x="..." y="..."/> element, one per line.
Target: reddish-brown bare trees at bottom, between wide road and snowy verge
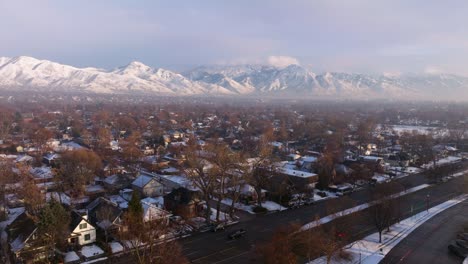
<point x="291" y="242"/>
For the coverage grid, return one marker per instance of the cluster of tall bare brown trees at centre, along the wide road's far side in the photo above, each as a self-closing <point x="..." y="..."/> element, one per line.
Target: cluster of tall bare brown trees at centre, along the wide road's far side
<point x="220" y="173"/>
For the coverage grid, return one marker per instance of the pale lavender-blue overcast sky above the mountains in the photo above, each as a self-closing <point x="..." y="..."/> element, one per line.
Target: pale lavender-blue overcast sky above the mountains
<point x="349" y="35"/>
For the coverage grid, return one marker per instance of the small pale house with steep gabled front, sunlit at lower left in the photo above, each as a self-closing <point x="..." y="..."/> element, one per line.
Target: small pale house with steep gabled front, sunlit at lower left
<point x="82" y="231"/>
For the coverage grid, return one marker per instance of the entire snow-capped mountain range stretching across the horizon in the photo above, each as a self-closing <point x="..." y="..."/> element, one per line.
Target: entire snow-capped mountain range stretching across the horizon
<point x="295" y="81"/>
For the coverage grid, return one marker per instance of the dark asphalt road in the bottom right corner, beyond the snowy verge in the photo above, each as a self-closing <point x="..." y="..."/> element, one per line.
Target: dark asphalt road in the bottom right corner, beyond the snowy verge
<point x="428" y="243"/>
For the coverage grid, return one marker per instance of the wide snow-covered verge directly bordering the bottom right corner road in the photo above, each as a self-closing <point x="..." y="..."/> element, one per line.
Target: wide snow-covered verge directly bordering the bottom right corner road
<point x="370" y="251"/>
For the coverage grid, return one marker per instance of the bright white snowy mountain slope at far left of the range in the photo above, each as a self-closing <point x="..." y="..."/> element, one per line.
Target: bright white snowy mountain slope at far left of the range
<point x="46" y="75"/>
